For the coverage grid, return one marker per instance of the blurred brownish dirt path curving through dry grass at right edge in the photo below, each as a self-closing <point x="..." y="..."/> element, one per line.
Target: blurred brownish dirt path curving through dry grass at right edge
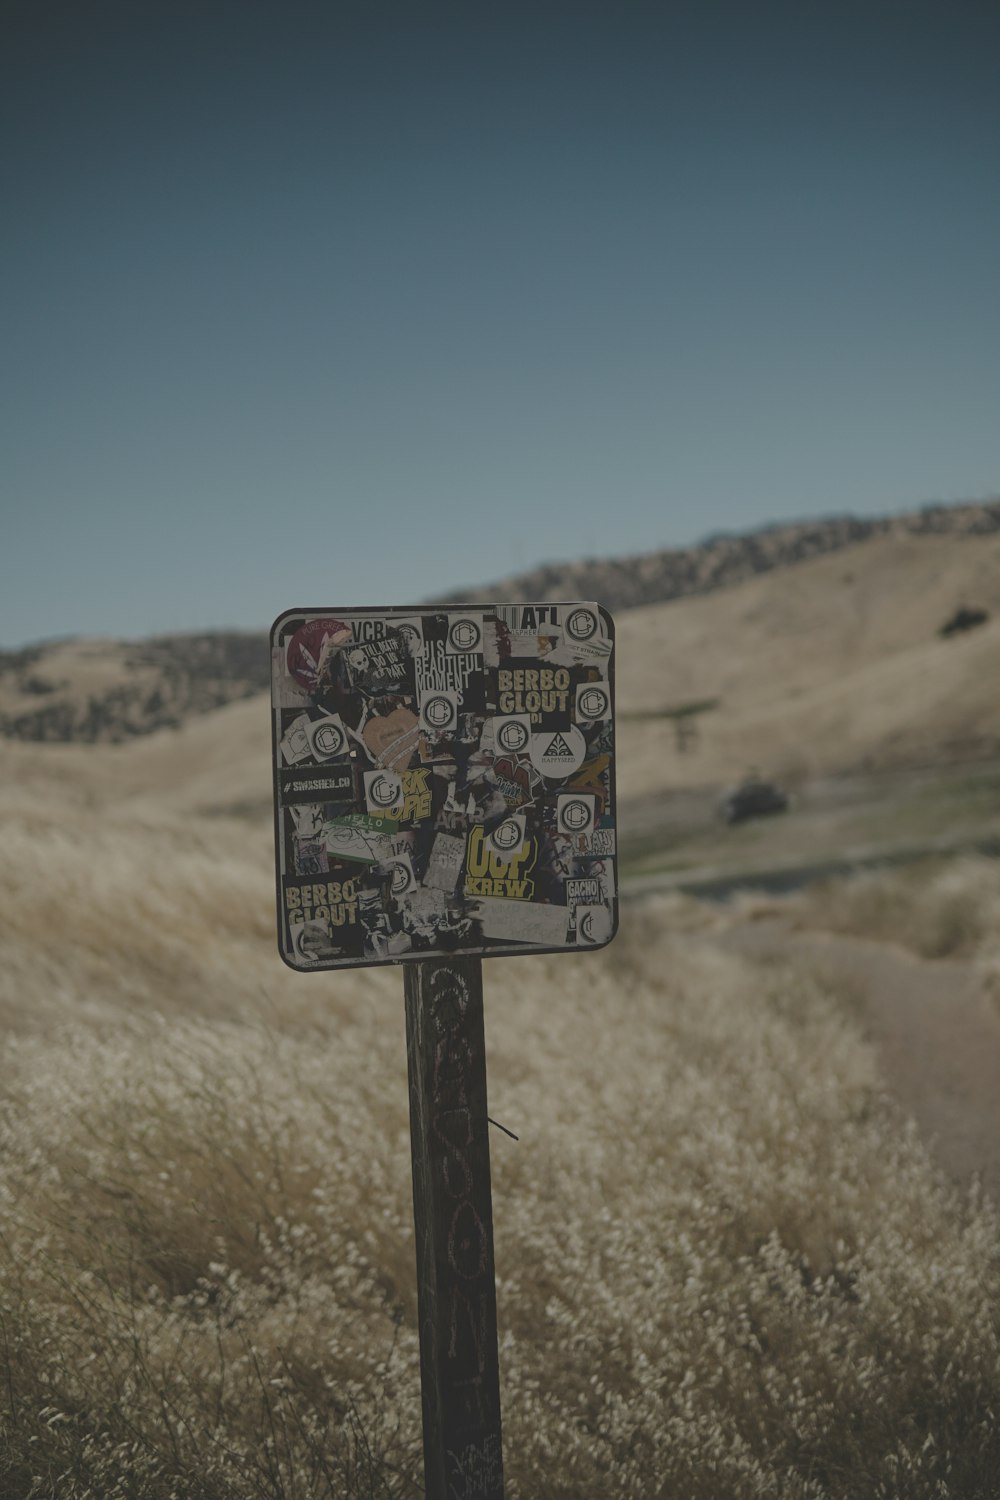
<point x="936" y="1034"/>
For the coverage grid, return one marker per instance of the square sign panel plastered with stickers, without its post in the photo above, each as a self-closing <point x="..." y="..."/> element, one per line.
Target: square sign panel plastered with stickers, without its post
<point x="445" y="782"/>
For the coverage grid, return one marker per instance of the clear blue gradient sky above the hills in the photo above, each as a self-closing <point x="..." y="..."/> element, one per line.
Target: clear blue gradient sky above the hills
<point x="341" y="304"/>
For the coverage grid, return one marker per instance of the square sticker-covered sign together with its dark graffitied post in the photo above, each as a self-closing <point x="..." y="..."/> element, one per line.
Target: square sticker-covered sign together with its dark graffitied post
<point x="445" y="791"/>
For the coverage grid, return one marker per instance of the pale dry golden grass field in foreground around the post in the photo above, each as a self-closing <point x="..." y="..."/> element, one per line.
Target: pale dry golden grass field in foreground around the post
<point x="726" y="1264"/>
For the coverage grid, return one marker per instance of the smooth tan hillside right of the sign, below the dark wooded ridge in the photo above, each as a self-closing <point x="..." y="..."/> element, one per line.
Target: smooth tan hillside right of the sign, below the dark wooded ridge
<point x="824" y="667"/>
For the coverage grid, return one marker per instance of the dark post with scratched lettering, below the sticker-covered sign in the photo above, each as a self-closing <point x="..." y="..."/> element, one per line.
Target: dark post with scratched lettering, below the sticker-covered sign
<point x="454" y="1217"/>
